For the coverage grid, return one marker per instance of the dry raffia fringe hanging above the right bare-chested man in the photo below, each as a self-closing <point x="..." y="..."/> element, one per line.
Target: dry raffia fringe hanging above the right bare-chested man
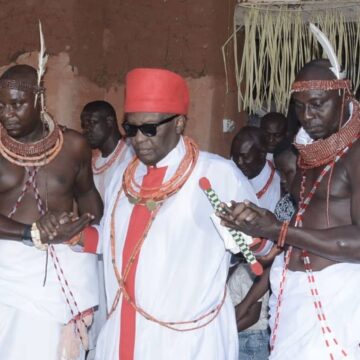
<point x="278" y="43"/>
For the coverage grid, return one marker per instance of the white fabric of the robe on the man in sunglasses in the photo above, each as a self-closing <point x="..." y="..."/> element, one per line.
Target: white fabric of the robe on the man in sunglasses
<point x="182" y="268"/>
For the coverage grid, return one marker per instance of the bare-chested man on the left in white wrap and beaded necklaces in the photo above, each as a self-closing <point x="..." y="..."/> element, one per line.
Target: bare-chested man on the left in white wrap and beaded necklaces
<point x="43" y="169"/>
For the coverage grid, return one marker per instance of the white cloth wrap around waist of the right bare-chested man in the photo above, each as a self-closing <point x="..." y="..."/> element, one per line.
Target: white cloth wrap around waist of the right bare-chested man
<point x="299" y="335"/>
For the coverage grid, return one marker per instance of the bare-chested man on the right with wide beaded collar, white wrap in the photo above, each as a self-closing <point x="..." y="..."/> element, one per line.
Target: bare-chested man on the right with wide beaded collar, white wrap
<point x="315" y="307"/>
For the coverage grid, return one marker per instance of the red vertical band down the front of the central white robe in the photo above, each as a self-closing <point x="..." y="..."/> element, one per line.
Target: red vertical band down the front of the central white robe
<point x="139" y="220"/>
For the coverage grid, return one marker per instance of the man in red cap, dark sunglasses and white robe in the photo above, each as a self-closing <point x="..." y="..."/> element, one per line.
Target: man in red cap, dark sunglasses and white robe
<point x="179" y="272"/>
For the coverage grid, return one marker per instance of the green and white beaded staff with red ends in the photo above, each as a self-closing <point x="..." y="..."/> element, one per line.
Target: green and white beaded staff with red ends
<point x="238" y="236"/>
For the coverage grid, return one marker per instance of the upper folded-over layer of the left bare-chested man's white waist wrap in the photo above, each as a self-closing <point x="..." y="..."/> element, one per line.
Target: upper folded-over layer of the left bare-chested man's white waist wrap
<point x="22" y="273"/>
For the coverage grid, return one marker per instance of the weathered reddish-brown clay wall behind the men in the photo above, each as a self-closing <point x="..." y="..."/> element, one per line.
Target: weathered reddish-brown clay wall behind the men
<point x="94" y="43"/>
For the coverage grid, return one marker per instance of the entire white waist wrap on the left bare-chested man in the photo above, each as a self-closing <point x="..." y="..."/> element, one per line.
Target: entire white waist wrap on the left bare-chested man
<point x="32" y="316"/>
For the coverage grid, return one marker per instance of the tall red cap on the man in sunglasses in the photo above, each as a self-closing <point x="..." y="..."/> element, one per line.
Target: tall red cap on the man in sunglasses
<point x="156" y="90"/>
